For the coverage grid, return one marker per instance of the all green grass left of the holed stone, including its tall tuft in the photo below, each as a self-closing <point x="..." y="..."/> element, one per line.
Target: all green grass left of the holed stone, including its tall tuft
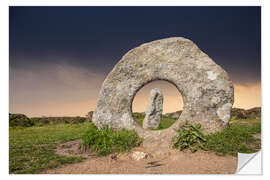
<point x="32" y="149"/>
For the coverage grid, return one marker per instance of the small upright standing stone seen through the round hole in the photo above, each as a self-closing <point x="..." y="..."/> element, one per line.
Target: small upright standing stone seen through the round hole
<point x="153" y="111"/>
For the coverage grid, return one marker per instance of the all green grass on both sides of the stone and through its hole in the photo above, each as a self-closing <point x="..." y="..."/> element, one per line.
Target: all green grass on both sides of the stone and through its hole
<point x="31" y="149"/>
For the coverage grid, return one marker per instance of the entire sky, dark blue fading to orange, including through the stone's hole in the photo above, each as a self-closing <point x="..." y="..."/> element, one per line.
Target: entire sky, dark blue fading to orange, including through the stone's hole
<point x="60" y="56"/>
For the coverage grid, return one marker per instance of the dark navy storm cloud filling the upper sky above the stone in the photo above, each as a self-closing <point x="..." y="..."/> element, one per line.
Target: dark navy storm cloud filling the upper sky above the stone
<point x="97" y="37"/>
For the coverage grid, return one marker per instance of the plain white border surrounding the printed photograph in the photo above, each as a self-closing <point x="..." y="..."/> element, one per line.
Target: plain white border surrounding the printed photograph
<point x="4" y="72"/>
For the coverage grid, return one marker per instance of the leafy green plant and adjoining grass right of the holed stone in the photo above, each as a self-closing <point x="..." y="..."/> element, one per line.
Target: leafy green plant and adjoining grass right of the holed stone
<point x="238" y="137"/>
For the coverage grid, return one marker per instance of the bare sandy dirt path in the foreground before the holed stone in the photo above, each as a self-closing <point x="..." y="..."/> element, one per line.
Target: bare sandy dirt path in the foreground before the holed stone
<point x="158" y="161"/>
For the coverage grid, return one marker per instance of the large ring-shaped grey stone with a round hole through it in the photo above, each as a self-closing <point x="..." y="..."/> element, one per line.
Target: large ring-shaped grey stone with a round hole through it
<point x="206" y="89"/>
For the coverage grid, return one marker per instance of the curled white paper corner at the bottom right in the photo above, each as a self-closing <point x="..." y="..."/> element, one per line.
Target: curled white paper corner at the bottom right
<point x="249" y="163"/>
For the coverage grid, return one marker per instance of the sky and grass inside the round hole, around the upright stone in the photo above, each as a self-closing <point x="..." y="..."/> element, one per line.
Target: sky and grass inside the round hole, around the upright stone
<point x="172" y="103"/>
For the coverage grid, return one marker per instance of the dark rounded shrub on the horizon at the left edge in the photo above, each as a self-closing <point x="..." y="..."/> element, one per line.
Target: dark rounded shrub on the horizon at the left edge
<point x="19" y="120"/>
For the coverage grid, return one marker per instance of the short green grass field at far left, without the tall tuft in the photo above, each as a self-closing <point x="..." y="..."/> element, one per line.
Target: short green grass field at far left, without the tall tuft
<point x="32" y="149"/>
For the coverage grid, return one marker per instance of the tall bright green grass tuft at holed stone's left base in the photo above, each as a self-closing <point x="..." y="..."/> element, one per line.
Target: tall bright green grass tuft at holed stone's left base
<point x="106" y="140"/>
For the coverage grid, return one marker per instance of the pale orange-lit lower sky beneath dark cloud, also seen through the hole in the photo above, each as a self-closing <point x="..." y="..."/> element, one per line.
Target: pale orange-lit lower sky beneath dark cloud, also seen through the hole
<point x="69" y="91"/>
